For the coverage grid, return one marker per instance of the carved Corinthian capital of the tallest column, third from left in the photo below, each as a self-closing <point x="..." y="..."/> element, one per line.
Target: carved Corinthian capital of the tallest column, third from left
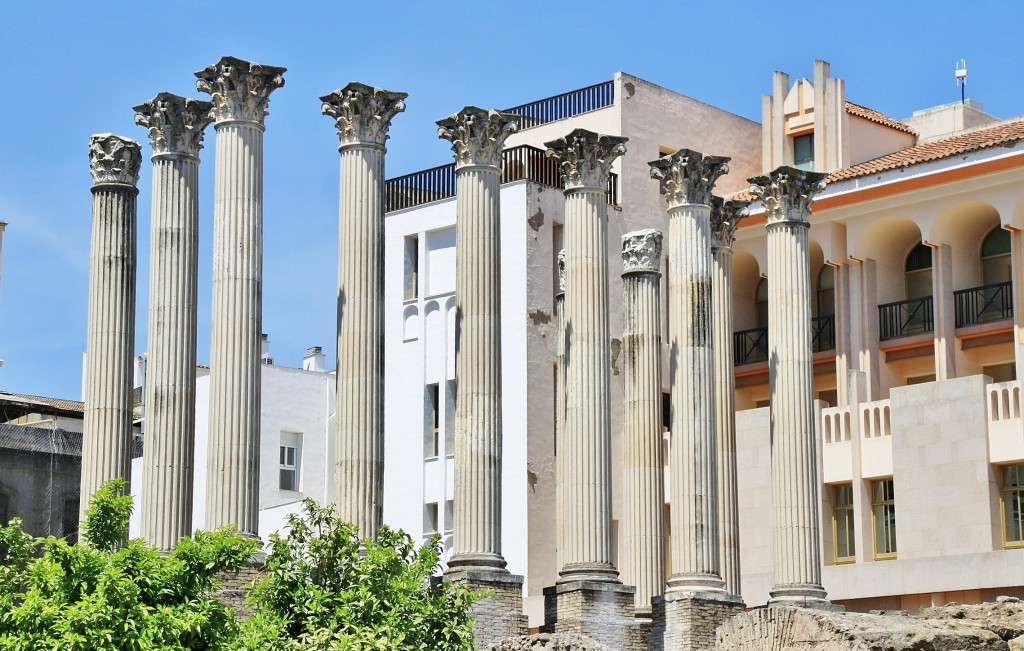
<point x="241" y="91"/>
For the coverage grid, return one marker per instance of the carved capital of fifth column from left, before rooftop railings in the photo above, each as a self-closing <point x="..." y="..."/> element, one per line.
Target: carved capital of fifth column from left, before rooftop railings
<point x="478" y="137"/>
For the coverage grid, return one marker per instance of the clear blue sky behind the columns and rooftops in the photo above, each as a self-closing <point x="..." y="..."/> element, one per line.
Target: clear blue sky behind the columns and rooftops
<point x="75" y="69"/>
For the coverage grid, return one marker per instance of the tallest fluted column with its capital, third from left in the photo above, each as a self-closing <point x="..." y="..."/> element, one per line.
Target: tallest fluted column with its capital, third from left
<point x="241" y="93"/>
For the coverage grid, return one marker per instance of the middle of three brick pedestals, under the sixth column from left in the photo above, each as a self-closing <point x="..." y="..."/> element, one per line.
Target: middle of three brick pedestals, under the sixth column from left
<point x="603" y="612"/>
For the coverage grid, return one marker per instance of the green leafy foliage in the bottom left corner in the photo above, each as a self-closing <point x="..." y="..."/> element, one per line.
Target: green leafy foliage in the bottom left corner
<point x="112" y="595"/>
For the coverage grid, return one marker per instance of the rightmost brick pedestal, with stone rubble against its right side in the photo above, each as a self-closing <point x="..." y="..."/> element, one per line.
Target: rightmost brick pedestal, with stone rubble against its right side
<point x="688" y="621"/>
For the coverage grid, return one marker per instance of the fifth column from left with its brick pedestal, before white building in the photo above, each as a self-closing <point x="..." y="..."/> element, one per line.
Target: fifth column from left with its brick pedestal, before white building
<point x="478" y="138"/>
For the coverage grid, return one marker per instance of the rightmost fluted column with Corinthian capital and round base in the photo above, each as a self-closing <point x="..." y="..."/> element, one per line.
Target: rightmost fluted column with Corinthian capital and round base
<point x="787" y="195"/>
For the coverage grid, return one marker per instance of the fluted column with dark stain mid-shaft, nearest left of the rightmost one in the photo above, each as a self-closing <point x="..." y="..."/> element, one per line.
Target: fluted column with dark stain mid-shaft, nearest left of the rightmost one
<point x="688" y="179"/>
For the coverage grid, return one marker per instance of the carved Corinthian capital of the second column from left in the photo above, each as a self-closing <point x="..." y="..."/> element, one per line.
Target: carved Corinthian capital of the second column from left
<point x="176" y="123"/>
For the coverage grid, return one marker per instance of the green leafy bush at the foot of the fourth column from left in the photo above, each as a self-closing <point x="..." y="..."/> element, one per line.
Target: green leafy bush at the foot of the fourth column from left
<point x="324" y="592"/>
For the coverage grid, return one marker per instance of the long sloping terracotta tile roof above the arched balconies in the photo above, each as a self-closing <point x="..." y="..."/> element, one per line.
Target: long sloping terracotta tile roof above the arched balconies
<point x="1006" y="135"/>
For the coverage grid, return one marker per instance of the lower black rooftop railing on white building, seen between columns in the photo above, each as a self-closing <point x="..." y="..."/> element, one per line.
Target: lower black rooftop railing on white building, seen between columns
<point x="524" y="162"/>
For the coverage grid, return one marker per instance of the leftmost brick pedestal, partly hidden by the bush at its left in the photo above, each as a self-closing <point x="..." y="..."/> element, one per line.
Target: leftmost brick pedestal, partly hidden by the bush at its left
<point x="499" y="616"/>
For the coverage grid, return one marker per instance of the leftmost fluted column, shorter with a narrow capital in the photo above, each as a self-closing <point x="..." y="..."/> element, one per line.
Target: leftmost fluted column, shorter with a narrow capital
<point x="111" y="341"/>
